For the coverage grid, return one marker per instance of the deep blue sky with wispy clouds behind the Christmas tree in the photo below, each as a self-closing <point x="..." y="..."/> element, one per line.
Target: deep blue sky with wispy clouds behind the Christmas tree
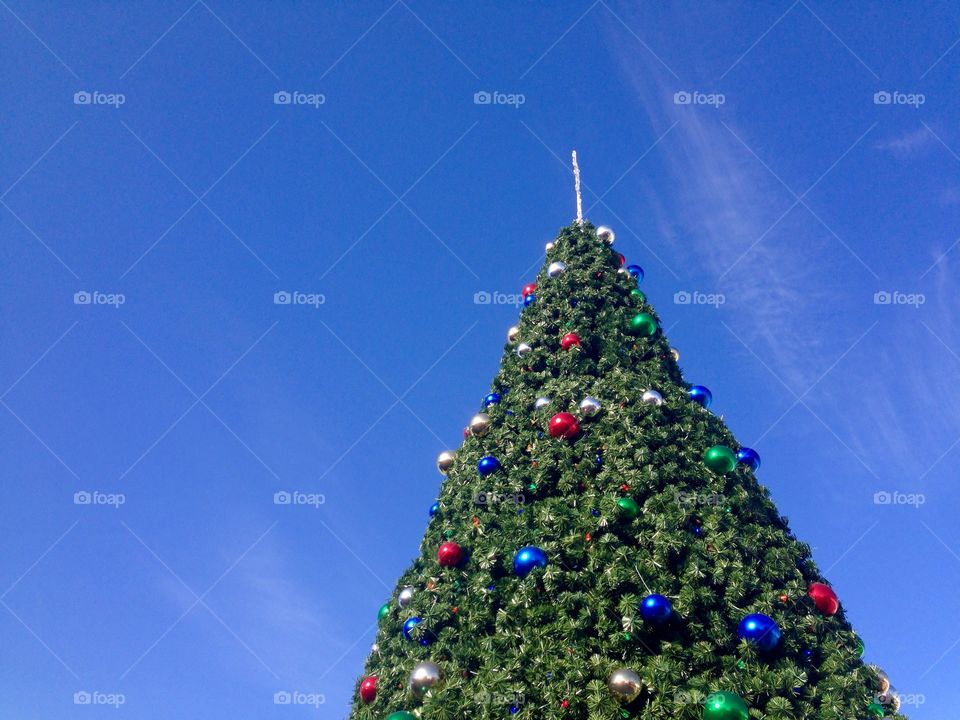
<point x="792" y="169"/>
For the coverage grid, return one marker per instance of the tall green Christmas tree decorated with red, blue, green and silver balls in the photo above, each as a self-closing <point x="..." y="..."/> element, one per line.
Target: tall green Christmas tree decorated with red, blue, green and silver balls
<point x="626" y="508"/>
